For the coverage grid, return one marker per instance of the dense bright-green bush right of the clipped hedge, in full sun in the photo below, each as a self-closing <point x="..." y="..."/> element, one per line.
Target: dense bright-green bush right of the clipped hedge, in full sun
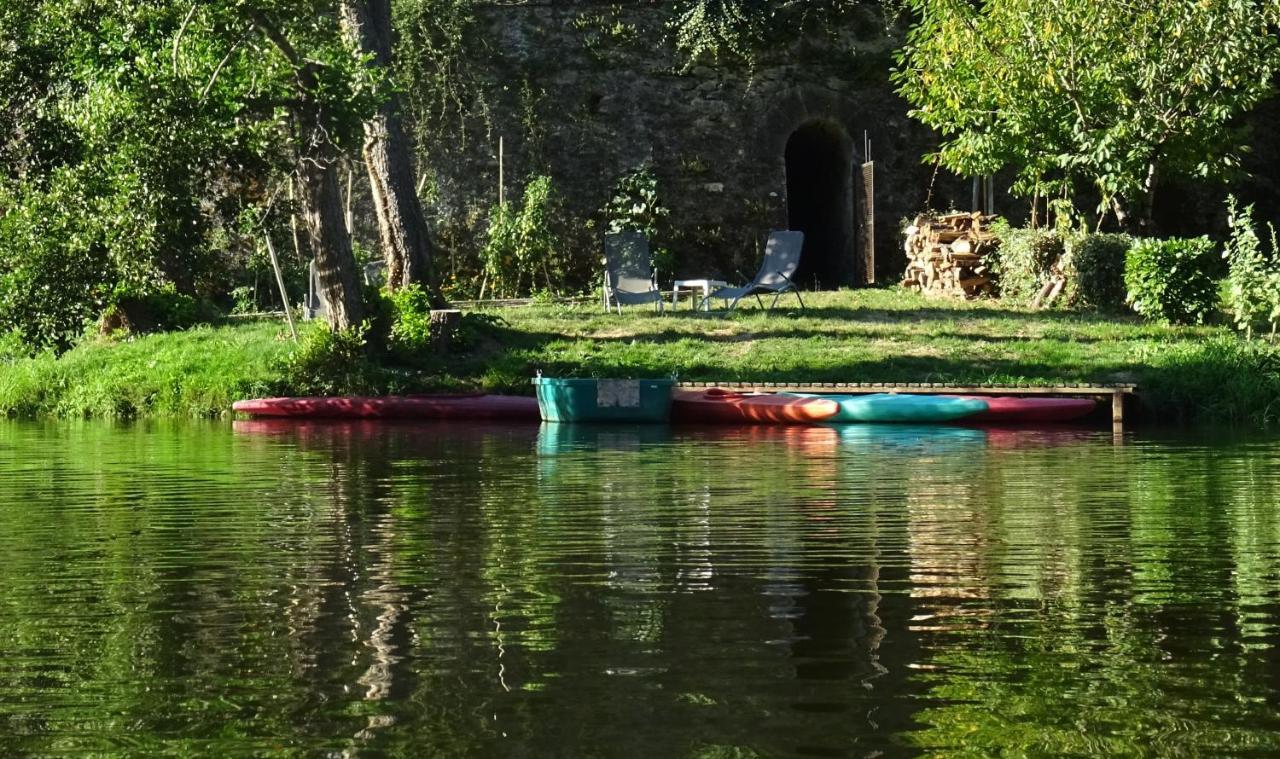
<point x="1172" y="281"/>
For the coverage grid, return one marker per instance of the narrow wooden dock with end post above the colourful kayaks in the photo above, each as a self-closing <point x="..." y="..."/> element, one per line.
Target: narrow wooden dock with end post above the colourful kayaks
<point x="1117" y="392"/>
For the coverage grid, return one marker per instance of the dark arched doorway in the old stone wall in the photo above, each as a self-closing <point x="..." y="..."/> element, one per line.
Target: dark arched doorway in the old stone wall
<point x="821" y="204"/>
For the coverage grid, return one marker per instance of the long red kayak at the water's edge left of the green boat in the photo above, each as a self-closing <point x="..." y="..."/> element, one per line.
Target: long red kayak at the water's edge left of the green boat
<point x="487" y="408"/>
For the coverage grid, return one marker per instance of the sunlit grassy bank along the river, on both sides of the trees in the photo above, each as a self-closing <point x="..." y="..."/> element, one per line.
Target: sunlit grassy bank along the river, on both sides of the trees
<point x="863" y="336"/>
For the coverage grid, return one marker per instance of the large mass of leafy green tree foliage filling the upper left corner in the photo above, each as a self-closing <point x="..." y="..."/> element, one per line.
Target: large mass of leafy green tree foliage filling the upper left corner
<point x="144" y="131"/>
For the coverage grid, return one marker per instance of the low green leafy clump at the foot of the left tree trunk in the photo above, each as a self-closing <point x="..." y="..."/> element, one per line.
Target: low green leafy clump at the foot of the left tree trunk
<point x="332" y="363"/>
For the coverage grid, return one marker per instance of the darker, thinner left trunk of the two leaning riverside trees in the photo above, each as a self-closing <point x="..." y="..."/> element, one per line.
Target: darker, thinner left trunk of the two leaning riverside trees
<point x="336" y="264"/>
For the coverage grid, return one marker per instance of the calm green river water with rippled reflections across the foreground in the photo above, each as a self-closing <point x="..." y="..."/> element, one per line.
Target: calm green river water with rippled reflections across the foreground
<point x="584" y="592"/>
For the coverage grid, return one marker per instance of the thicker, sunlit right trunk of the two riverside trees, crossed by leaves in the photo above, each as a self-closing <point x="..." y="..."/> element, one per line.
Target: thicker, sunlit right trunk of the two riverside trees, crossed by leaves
<point x="403" y="227"/>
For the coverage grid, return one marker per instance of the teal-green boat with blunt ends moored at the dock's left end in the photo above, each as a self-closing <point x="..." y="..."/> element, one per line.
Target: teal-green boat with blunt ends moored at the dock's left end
<point x="601" y="400"/>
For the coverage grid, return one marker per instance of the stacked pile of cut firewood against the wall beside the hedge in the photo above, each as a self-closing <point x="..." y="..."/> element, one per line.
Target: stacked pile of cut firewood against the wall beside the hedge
<point x="947" y="255"/>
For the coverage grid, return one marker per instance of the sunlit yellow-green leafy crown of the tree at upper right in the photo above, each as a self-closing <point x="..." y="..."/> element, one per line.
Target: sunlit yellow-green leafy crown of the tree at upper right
<point x="1077" y="93"/>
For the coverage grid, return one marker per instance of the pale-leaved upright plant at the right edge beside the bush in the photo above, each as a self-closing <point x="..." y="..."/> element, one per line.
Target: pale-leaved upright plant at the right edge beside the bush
<point x="1254" y="277"/>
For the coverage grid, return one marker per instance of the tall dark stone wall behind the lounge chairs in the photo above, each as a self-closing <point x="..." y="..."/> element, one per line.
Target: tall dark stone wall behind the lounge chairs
<point x="587" y="109"/>
